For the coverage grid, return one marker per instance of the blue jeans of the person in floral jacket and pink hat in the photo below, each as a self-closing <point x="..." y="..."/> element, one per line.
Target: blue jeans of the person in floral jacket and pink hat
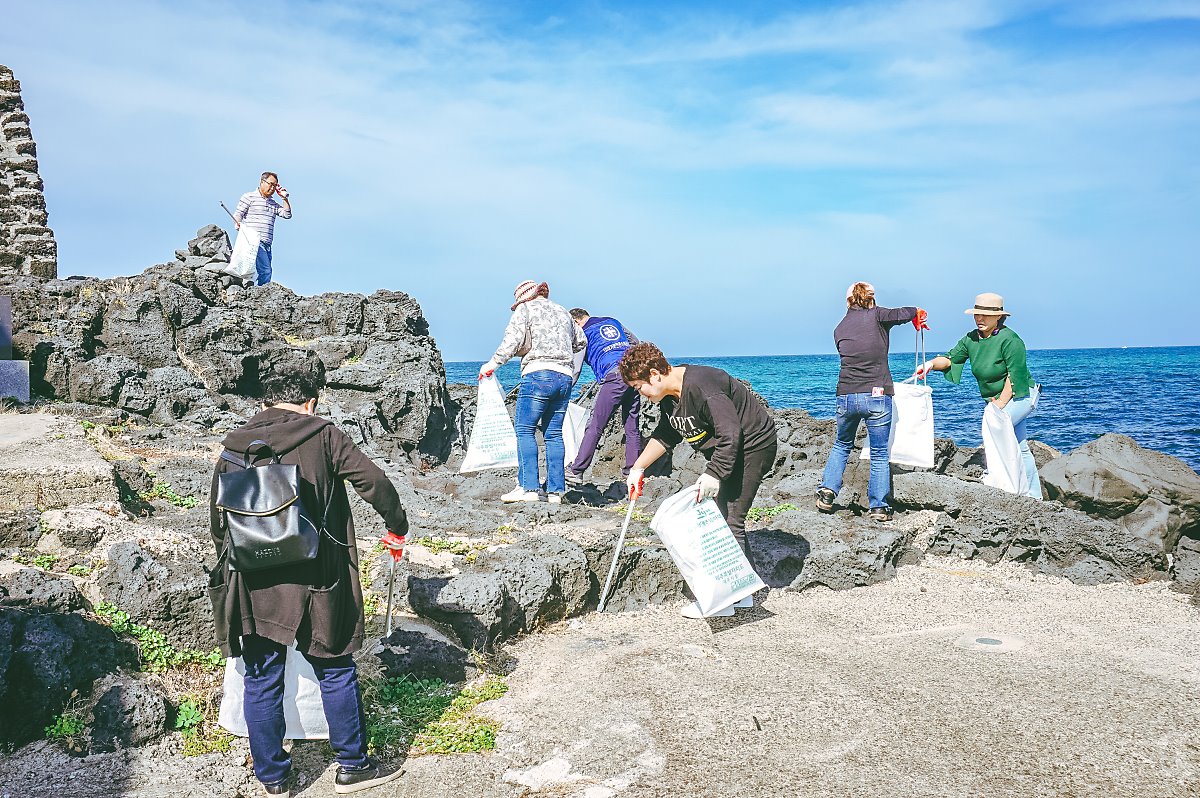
<point x="542" y="405"/>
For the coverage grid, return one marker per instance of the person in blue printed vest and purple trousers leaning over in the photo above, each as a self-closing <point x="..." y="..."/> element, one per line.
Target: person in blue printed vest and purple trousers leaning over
<point x="608" y="341"/>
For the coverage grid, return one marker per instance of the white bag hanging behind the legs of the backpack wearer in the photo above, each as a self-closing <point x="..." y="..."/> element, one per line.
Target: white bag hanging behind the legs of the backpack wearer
<point x="303" y="711"/>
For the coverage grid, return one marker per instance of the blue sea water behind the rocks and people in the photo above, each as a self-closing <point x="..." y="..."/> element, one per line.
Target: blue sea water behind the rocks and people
<point x="1149" y="394"/>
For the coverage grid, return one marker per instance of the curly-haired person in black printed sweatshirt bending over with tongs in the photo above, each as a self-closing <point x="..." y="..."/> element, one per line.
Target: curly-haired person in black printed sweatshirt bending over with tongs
<point x="722" y="419"/>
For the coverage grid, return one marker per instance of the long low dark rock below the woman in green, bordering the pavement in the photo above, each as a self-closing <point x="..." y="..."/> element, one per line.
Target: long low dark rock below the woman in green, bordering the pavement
<point x="992" y="525"/>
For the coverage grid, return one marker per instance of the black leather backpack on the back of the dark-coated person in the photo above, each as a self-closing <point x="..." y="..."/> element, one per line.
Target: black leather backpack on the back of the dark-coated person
<point x="266" y="521"/>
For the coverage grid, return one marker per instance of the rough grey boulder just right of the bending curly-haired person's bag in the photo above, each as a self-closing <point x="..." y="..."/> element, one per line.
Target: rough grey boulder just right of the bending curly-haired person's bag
<point x="805" y="549"/>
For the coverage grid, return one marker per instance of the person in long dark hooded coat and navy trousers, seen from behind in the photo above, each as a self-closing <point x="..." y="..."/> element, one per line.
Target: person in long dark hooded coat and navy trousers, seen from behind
<point x="316" y="604"/>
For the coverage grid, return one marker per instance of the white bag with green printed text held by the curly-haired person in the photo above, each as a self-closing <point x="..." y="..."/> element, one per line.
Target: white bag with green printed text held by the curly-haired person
<point x="705" y="550"/>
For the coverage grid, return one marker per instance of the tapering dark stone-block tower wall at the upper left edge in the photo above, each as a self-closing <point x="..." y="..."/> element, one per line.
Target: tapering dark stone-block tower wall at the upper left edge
<point x="27" y="244"/>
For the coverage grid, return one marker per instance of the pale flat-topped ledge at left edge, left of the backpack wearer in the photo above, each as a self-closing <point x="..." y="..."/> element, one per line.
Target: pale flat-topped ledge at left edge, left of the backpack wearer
<point x="47" y="464"/>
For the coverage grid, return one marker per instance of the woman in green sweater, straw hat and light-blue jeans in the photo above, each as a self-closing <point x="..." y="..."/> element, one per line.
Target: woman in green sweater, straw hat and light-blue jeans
<point x="998" y="362"/>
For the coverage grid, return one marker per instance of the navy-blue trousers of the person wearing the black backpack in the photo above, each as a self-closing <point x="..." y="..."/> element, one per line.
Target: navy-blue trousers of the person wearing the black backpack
<point x="263" y="705"/>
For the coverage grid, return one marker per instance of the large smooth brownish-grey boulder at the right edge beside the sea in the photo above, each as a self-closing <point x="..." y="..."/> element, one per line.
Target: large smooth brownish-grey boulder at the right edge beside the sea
<point x="1154" y="496"/>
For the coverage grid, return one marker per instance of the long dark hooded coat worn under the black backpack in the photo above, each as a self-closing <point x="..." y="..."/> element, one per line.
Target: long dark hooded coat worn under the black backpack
<point x="320" y="603"/>
